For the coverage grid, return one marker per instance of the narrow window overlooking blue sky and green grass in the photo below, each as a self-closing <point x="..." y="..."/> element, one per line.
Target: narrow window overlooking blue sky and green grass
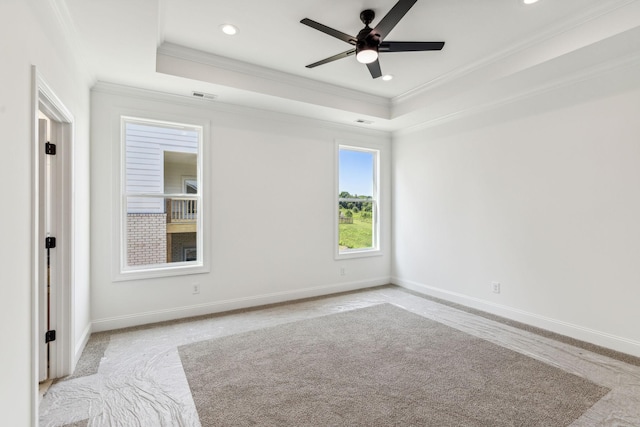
<point x="357" y="230"/>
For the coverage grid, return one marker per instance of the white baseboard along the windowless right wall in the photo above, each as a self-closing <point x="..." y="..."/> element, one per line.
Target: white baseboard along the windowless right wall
<point x="578" y="332"/>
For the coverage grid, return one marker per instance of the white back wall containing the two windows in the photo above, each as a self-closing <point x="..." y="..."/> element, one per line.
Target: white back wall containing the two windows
<point x="269" y="186"/>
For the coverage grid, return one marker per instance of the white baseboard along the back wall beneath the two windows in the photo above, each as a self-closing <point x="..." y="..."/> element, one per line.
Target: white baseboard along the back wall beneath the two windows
<point x="138" y="319"/>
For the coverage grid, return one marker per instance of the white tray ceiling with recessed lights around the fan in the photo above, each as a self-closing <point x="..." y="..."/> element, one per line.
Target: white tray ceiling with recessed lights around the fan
<point x="176" y="46"/>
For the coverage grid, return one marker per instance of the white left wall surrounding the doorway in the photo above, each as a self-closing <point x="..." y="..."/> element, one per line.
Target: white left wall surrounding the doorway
<point x="30" y="35"/>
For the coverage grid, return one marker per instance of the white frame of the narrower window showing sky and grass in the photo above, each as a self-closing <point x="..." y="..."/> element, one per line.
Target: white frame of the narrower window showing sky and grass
<point x="375" y="250"/>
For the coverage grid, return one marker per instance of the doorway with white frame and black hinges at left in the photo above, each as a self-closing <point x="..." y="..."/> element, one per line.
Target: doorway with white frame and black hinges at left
<point x="52" y="313"/>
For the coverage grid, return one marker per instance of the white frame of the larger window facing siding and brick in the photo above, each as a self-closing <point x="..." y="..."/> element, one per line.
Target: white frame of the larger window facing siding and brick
<point x="125" y="272"/>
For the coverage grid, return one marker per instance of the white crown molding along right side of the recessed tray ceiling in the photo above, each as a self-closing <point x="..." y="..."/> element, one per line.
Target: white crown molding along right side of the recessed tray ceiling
<point x="561" y="27"/>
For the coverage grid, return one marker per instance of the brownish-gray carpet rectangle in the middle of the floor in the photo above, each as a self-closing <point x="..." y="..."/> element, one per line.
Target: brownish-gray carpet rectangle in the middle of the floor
<point x="380" y="365"/>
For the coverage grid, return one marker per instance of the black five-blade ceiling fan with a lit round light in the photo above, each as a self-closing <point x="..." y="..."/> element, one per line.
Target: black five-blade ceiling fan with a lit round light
<point x="370" y="42"/>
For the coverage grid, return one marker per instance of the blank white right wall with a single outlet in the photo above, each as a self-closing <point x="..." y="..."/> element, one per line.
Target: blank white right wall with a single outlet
<point x="540" y="196"/>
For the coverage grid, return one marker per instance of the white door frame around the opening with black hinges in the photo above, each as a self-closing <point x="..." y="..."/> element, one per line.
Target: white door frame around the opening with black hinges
<point x="61" y="310"/>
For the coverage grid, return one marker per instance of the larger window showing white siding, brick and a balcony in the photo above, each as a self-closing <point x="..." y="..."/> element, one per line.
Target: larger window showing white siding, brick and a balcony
<point x="161" y="195"/>
